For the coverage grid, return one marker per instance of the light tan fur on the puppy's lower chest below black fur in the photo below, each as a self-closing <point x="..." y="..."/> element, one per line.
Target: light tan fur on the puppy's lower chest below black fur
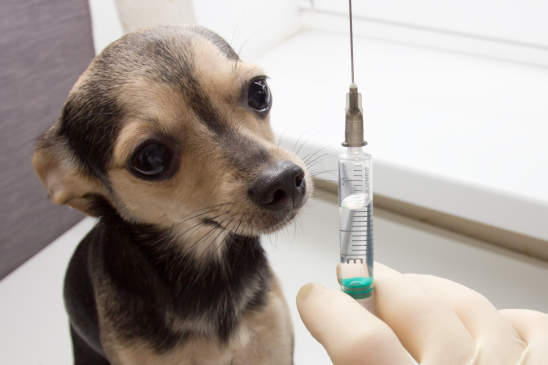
<point x="262" y="337"/>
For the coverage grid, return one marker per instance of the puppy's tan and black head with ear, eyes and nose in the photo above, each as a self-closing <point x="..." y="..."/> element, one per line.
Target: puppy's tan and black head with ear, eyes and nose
<point x="172" y="129"/>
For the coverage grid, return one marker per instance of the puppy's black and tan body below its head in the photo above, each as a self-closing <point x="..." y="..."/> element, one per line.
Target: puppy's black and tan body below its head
<point x="148" y="315"/>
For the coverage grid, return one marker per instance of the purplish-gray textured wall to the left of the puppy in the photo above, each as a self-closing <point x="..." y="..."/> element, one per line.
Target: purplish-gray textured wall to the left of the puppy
<point x="44" y="46"/>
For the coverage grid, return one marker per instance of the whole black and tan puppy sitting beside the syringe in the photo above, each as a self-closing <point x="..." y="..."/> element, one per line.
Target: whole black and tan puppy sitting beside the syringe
<point x="166" y="138"/>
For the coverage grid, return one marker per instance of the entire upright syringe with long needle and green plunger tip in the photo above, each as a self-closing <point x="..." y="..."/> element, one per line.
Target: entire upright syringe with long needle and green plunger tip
<point x="355" y="200"/>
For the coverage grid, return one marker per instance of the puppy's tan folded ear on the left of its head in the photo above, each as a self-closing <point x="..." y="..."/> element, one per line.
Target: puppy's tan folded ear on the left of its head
<point x="59" y="171"/>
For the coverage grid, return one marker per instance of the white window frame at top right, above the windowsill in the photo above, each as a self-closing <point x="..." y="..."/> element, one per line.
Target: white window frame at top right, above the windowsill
<point x="421" y="25"/>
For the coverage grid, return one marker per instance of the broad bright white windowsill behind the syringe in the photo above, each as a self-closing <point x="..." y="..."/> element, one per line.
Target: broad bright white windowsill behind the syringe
<point x="458" y="134"/>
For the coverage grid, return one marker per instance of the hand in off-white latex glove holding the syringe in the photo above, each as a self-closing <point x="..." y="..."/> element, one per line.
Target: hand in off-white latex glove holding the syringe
<point x="436" y="320"/>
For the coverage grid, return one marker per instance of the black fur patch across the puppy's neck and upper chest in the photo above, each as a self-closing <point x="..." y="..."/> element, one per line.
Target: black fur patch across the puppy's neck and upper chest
<point x="146" y="276"/>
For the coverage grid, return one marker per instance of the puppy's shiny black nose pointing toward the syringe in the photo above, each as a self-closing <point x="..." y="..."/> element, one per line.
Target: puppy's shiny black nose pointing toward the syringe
<point x="278" y="187"/>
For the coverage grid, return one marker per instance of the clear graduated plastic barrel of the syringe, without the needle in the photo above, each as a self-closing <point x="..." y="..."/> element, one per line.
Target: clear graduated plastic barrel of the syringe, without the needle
<point x="356" y="208"/>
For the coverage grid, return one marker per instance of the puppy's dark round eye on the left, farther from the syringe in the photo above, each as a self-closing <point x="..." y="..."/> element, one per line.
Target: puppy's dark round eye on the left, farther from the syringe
<point x="151" y="160"/>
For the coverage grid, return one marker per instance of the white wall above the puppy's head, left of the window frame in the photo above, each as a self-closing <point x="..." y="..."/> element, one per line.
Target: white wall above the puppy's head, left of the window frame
<point x="250" y="26"/>
